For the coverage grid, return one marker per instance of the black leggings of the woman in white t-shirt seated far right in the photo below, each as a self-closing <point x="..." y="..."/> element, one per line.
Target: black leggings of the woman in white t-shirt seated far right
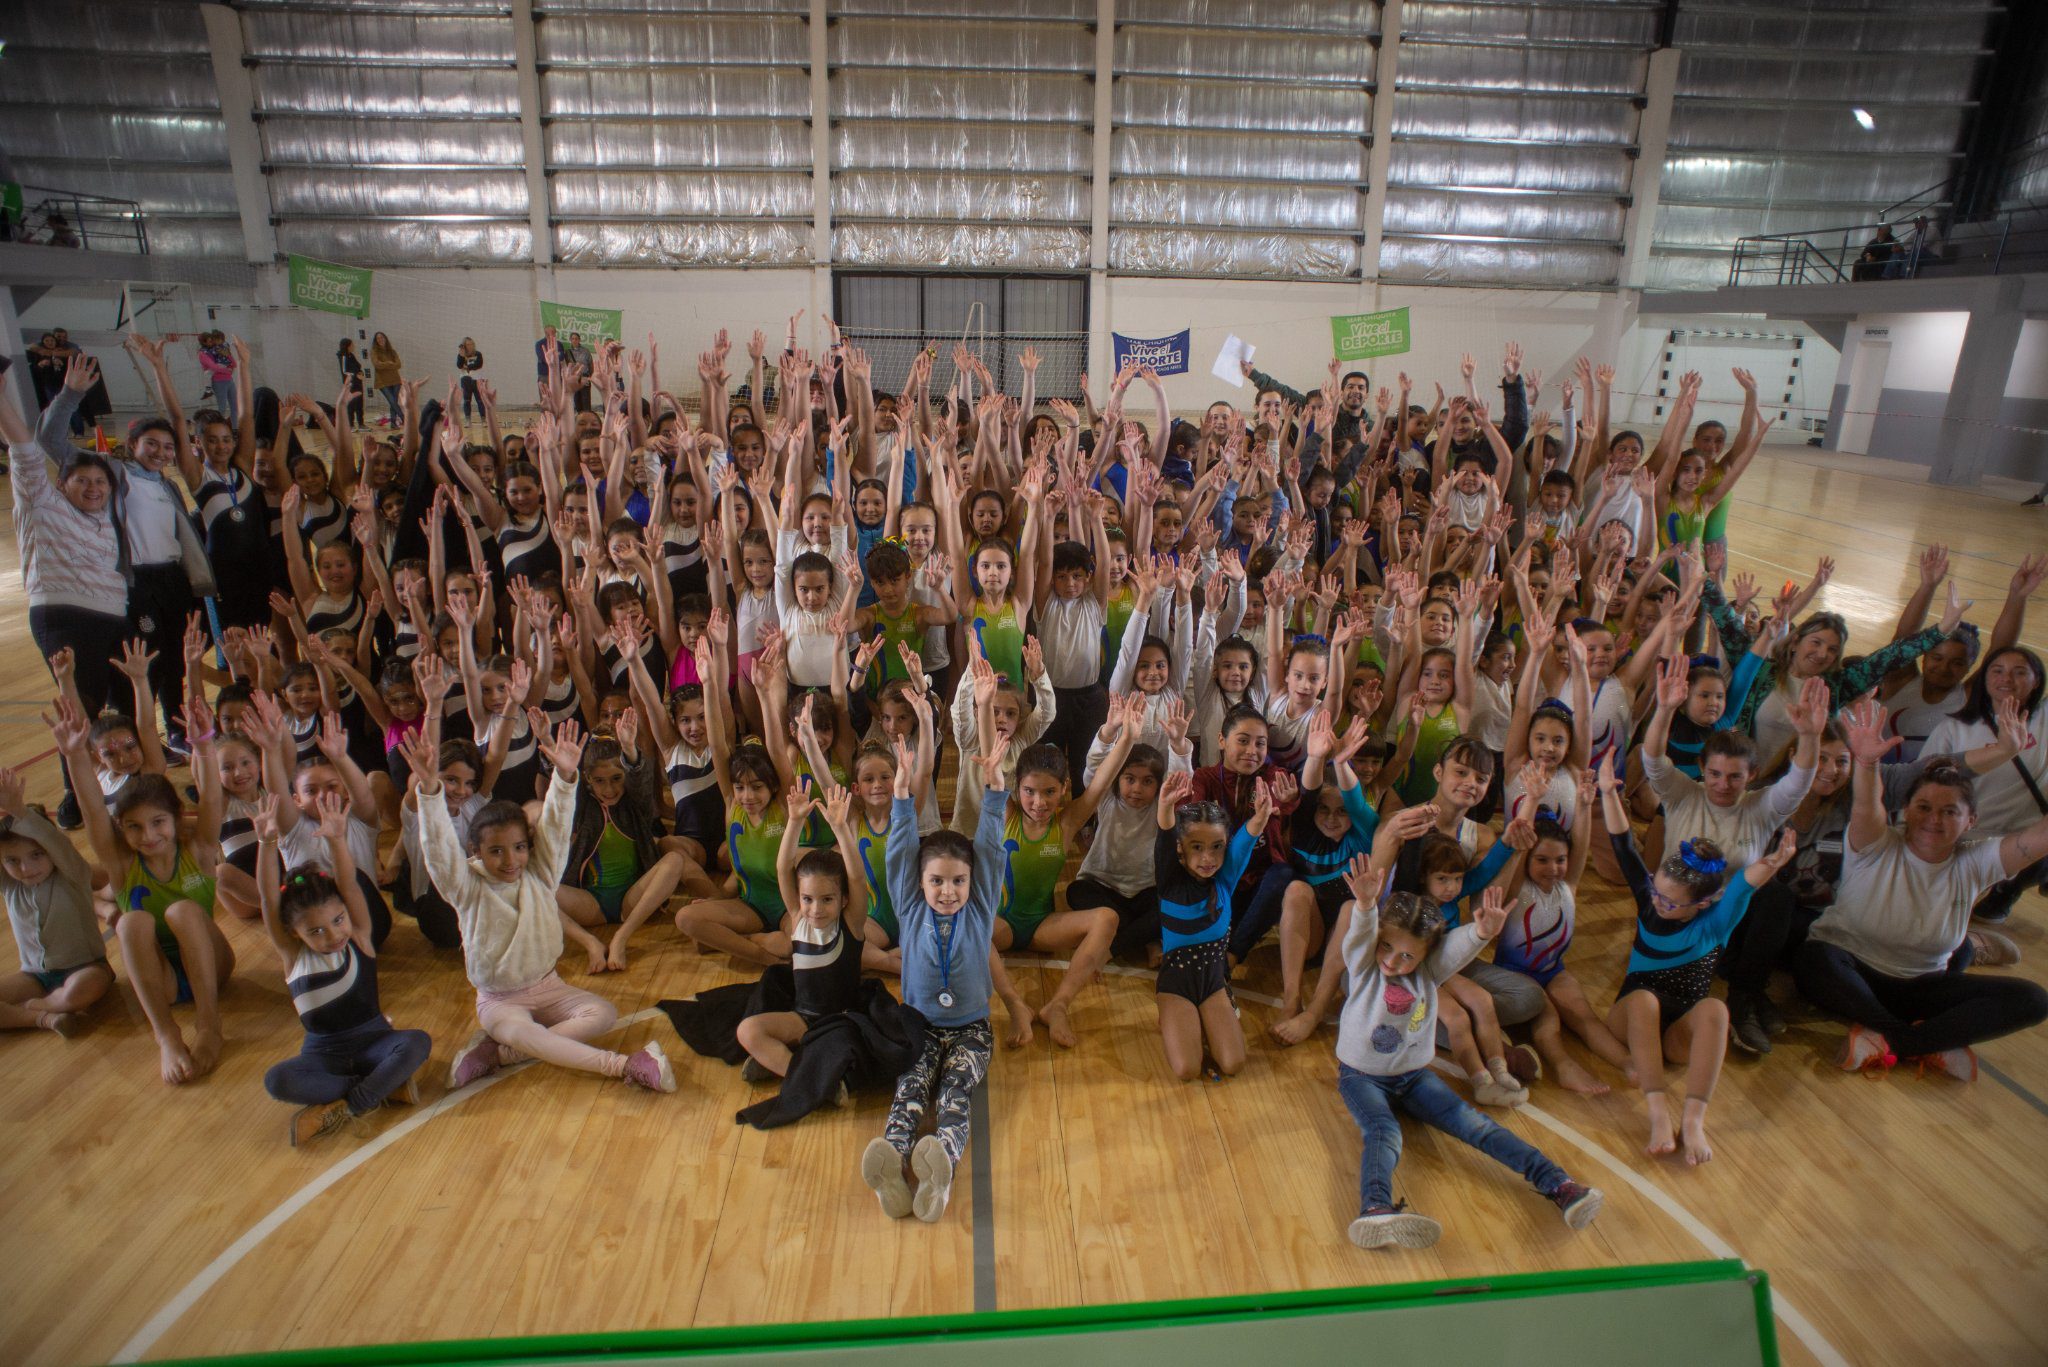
<point x="1918" y="1016"/>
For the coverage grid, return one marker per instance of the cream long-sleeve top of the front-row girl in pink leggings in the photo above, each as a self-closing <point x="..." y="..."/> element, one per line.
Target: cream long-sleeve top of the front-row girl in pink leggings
<point x="511" y="931"/>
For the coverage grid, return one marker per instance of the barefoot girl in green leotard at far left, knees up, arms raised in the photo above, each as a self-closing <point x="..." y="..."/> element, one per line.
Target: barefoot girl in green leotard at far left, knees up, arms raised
<point x="163" y="888"/>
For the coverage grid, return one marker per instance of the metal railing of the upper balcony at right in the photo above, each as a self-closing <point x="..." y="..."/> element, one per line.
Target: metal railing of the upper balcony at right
<point x="2010" y="241"/>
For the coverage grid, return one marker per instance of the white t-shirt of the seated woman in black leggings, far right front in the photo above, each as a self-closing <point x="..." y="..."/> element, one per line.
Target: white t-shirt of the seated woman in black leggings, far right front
<point x="1902" y="915"/>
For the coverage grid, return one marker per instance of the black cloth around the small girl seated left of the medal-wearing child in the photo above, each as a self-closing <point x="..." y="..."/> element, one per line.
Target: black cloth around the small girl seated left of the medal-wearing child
<point x="867" y="1048"/>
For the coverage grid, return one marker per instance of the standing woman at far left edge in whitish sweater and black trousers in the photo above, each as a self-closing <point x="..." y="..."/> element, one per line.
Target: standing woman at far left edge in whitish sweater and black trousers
<point x="71" y="556"/>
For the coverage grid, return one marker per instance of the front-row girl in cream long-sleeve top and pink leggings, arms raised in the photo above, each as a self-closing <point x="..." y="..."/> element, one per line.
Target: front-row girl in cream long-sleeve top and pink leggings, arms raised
<point x="513" y="931"/>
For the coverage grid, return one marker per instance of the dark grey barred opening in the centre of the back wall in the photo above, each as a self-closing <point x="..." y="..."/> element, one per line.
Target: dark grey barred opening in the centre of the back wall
<point x="994" y="317"/>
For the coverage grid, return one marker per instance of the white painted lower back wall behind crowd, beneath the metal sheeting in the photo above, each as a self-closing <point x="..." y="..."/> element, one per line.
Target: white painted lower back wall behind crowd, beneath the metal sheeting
<point x="429" y="313"/>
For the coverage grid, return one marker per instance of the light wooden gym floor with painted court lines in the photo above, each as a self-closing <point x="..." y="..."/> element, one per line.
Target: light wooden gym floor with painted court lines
<point x="1902" y="1218"/>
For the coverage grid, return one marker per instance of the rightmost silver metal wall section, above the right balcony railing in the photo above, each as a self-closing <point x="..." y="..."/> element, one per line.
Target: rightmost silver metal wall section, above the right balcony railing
<point x="1764" y="136"/>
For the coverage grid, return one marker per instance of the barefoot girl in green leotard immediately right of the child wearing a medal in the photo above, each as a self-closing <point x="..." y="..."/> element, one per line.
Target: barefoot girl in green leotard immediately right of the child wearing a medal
<point x="1039" y="829"/>
